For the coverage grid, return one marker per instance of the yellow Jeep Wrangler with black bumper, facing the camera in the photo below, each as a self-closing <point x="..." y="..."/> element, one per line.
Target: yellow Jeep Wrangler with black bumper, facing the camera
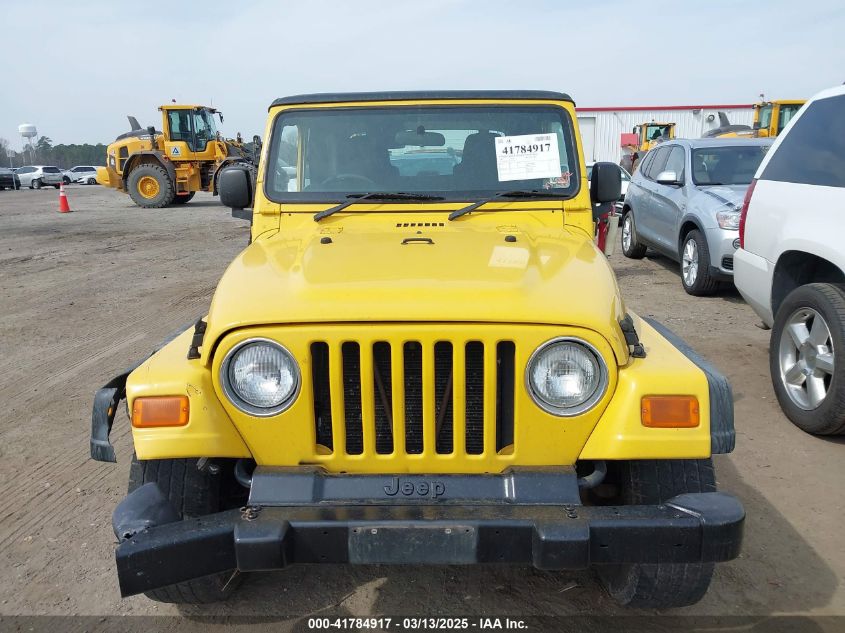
<point x="422" y="358"/>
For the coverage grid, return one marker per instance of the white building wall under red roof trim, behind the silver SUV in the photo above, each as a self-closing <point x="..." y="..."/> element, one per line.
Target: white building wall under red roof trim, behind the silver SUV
<point x="606" y="127"/>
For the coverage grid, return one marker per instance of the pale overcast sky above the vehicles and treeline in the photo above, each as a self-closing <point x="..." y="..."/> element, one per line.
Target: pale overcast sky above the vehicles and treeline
<point x="76" y="69"/>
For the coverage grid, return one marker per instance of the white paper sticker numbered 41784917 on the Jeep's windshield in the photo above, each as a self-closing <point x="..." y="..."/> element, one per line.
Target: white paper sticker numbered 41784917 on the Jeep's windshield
<point x="527" y="156"/>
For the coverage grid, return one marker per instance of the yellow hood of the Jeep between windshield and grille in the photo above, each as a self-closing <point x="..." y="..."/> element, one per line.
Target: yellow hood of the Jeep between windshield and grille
<point x="459" y="272"/>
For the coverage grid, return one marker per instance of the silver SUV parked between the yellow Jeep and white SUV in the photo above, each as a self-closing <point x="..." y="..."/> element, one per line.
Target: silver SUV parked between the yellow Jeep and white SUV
<point x="684" y="201"/>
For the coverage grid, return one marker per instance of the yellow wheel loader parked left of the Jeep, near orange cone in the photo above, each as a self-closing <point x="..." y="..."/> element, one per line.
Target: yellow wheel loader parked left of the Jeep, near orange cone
<point x="160" y="168"/>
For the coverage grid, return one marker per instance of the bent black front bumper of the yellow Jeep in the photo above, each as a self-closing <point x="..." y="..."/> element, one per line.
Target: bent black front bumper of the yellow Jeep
<point x="322" y="522"/>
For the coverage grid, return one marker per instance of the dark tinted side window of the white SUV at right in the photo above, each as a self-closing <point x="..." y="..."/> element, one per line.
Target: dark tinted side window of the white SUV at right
<point x="813" y="151"/>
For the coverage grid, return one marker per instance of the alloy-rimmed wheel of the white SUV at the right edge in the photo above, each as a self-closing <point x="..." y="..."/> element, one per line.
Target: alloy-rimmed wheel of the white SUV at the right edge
<point x="808" y="332"/>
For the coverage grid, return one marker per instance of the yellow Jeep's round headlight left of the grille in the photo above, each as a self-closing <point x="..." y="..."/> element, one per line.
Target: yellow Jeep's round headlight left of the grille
<point x="260" y="377"/>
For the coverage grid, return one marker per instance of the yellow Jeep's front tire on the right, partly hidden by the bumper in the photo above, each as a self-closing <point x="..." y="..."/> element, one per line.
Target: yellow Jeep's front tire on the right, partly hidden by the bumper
<point x="660" y="585"/>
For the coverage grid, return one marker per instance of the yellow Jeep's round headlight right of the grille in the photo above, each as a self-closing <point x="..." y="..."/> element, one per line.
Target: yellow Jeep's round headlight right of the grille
<point x="566" y="377"/>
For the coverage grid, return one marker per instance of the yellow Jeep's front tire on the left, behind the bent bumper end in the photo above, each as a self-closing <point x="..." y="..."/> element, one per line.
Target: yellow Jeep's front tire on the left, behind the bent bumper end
<point x="194" y="493"/>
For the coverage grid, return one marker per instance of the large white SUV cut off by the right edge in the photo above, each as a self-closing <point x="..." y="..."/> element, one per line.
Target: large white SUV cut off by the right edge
<point x="791" y="263"/>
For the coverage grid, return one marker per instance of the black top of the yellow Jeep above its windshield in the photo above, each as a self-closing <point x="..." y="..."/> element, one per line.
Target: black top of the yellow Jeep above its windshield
<point x="419" y="95"/>
